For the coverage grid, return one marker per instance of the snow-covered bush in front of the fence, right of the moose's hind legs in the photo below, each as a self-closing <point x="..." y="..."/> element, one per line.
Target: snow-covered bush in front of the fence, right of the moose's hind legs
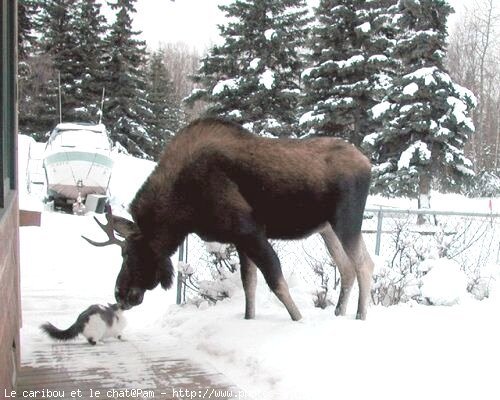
<point x="426" y="264"/>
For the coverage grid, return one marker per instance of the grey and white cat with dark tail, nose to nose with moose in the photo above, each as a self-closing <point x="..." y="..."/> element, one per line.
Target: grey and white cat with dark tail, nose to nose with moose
<point x="95" y="323"/>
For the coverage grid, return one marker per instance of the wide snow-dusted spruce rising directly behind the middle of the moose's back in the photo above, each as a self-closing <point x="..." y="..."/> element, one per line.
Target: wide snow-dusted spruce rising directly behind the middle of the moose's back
<point x="254" y="77"/>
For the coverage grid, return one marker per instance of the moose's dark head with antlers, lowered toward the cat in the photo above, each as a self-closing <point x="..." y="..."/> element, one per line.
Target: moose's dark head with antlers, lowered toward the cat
<point x="143" y="268"/>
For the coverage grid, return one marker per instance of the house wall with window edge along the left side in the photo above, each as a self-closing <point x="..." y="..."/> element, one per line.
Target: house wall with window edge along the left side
<point x="10" y="310"/>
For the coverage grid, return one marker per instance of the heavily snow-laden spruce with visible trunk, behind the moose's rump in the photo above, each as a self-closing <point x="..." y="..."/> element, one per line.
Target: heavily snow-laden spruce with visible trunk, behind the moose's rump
<point x="425" y="115"/>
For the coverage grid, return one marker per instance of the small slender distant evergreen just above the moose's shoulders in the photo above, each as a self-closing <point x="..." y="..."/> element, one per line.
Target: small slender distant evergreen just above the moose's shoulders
<point x="166" y="114"/>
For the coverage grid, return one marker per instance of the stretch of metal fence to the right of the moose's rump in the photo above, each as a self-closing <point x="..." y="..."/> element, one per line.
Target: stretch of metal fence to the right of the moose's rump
<point x="471" y="239"/>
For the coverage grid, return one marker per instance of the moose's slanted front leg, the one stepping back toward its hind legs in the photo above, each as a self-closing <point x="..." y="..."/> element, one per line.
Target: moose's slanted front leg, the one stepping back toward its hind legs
<point x="258" y="249"/>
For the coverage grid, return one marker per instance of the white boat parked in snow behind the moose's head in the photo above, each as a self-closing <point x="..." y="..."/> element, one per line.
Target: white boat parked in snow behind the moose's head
<point x="77" y="161"/>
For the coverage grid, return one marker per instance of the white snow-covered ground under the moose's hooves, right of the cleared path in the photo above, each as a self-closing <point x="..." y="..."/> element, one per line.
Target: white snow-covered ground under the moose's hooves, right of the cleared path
<point x="411" y="352"/>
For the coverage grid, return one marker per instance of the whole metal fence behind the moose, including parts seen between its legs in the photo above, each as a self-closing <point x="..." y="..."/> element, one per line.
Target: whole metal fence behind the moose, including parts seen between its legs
<point x="391" y="235"/>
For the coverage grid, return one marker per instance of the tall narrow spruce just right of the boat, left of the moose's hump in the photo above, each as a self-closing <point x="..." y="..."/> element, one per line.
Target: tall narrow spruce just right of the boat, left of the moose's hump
<point x="125" y="106"/>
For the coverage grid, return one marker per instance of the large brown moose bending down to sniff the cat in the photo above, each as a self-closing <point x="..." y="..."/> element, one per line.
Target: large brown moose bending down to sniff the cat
<point x="221" y="182"/>
